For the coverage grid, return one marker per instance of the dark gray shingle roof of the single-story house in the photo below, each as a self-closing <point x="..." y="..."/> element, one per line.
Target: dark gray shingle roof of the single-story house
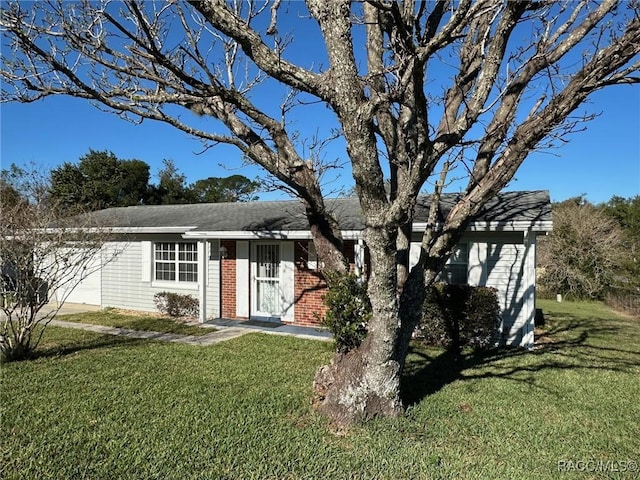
<point x="530" y="206"/>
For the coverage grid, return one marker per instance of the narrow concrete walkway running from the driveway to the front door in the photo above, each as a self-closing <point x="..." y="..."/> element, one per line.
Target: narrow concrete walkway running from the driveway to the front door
<point x="224" y="329"/>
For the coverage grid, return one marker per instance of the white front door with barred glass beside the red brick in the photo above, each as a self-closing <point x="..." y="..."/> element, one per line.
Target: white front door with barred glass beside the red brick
<point x="267" y="289"/>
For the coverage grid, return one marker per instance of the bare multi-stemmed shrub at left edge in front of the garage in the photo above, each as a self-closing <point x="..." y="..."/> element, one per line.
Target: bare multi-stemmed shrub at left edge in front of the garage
<point x="41" y="256"/>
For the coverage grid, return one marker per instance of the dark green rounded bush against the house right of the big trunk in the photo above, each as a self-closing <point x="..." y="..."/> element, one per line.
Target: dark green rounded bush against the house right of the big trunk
<point x="455" y="316"/>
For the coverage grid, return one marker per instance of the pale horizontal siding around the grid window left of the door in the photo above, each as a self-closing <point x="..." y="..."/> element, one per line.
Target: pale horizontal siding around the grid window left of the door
<point x="123" y="285"/>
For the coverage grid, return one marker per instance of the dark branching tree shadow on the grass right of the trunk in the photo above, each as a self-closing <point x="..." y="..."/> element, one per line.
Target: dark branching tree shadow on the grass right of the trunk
<point x="571" y="344"/>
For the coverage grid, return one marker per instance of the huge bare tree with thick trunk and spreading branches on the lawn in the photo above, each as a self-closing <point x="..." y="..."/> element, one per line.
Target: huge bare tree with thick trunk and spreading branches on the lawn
<point x="418" y="88"/>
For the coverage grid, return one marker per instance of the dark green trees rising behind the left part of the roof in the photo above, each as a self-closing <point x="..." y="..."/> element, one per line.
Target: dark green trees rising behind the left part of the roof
<point x="101" y="180"/>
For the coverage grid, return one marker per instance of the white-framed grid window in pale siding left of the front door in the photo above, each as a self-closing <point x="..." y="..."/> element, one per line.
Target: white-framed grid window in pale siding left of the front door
<point x="176" y="262"/>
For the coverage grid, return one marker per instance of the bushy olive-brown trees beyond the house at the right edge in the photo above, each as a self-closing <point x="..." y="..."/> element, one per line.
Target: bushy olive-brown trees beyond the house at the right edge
<point x="593" y="251"/>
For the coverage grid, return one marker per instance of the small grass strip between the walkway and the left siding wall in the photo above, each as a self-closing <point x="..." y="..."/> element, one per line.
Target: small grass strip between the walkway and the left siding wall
<point x="113" y="318"/>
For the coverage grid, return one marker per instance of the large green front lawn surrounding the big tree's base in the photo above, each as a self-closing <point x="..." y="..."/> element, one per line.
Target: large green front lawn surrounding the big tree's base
<point x="109" y="407"/>
